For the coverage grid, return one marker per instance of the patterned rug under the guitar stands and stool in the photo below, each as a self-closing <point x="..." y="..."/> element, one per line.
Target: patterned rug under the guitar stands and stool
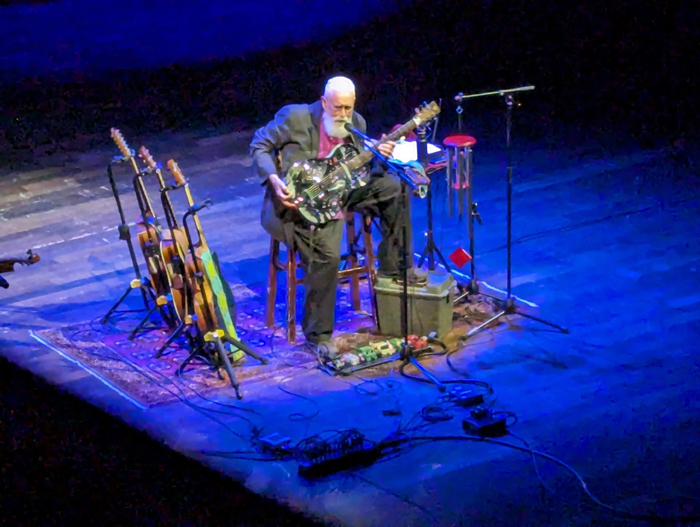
<point x="132" y="369"/>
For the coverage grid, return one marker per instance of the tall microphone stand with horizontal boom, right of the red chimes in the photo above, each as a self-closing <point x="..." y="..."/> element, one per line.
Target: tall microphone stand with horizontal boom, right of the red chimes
<point x="509" y="307"/>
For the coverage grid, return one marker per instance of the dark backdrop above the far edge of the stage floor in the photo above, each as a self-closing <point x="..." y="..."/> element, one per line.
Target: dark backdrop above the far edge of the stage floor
<point x="625" y="69"/>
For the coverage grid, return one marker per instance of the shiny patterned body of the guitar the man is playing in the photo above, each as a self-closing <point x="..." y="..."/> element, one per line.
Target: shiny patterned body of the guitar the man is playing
<point x="320" y="186"/>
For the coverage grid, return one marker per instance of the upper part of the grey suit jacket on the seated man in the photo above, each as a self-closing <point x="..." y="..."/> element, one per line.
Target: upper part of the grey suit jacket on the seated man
<point x="294" y="135"/>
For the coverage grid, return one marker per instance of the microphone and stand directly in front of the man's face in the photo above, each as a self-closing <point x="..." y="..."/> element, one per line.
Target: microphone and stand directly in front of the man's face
<point x="407" y="353"/>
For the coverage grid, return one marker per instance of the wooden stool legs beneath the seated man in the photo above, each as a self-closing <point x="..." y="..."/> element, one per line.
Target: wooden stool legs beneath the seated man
<point x="350" y="269"/>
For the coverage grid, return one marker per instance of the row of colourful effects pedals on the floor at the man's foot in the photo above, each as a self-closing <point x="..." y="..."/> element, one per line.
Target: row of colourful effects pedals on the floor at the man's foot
<point x="373" y="354"/>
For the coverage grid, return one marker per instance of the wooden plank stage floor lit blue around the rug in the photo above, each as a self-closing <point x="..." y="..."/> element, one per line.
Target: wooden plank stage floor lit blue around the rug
<point x="605" y="244"/>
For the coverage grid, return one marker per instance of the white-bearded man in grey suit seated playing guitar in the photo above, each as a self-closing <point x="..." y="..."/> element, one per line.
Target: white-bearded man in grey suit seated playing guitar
<point x="308" y="131"/>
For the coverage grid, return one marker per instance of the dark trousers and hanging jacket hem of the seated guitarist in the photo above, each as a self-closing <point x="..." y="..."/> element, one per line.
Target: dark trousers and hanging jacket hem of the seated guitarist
<point x="319" y="248"/>
